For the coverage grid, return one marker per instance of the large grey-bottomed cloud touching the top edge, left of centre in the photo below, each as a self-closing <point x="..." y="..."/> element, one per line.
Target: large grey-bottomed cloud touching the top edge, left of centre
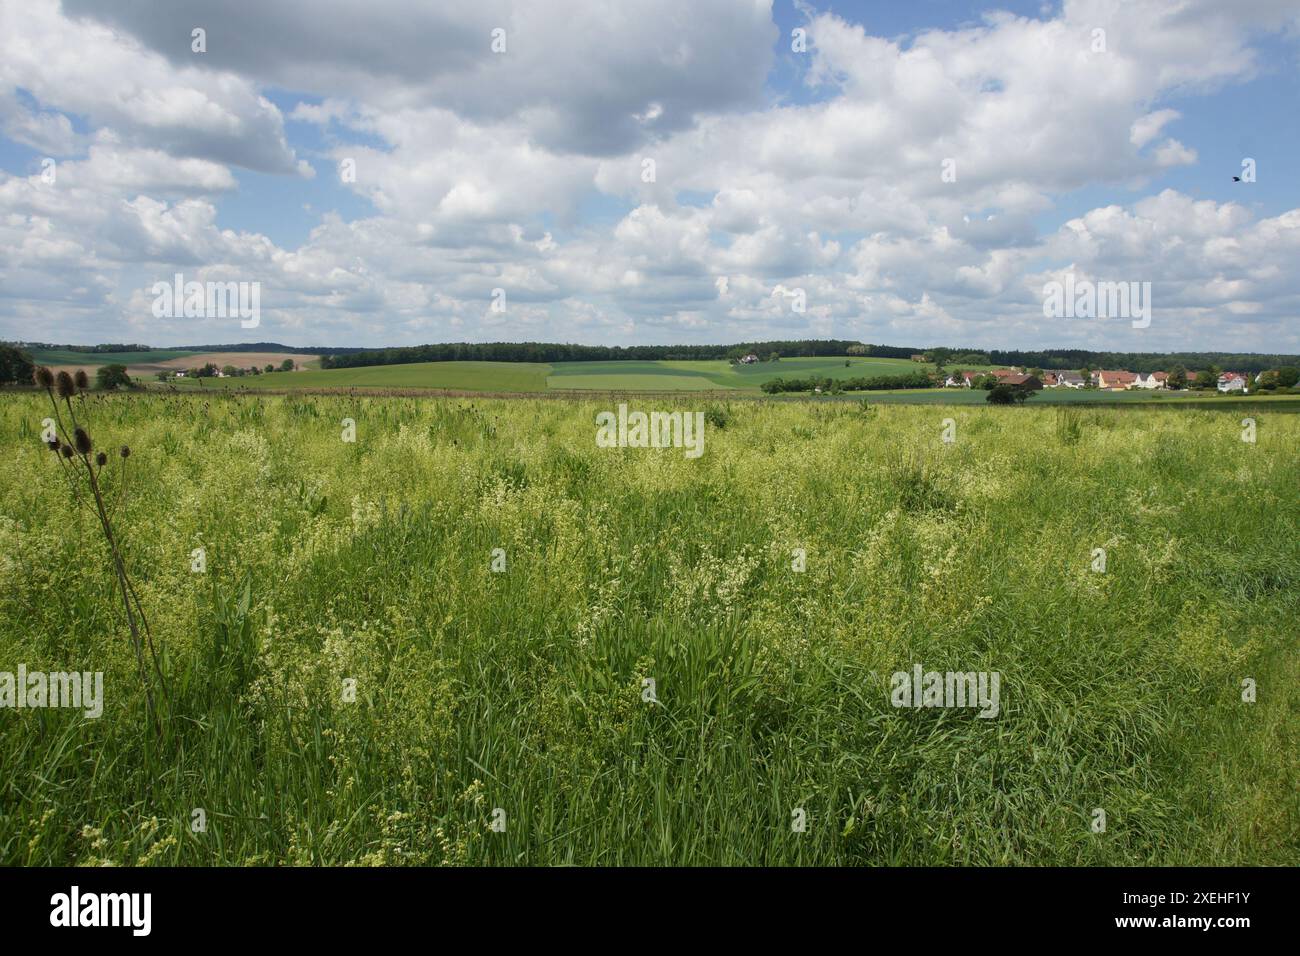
<point x="593" y="79"/>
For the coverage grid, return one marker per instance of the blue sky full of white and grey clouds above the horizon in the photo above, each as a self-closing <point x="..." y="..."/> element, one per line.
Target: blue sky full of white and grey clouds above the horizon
<point x="652" y="171"/>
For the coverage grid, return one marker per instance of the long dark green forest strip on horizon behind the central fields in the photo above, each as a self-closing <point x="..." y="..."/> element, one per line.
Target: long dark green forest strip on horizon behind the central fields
<point x="545" y="352"/>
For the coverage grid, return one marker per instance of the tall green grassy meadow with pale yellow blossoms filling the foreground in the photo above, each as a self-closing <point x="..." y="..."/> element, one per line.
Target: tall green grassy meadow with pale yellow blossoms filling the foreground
<point x="525" y="690"/>
